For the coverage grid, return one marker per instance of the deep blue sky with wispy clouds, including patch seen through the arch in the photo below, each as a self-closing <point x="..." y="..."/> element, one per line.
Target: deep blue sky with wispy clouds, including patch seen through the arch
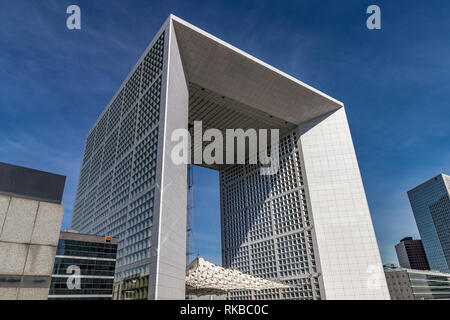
<point x="394" y="82"/>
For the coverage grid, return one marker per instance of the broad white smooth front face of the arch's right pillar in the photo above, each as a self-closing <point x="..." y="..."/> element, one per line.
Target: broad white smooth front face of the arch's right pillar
<point x="349" y="258"/>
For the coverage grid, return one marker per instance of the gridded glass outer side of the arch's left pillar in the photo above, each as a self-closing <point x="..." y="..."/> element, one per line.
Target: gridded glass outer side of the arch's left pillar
<point x="115" y="194"/>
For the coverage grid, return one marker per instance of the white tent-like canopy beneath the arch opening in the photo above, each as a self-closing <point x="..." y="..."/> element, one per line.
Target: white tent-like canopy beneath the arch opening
<point x="204" y="278"/>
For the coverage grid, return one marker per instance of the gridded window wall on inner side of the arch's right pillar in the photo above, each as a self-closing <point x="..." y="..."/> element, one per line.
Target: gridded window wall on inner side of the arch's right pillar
<point x="266" y="226"/>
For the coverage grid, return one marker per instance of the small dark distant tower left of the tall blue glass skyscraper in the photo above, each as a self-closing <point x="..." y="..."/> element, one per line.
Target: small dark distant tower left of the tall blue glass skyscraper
<point x="411" y="255"/>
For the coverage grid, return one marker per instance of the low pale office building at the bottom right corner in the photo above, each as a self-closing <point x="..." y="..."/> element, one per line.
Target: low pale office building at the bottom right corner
<point x="407" y="284"/>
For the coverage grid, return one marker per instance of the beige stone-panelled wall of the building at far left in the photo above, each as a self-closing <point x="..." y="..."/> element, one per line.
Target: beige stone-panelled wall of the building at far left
<point x="29" y="233"/>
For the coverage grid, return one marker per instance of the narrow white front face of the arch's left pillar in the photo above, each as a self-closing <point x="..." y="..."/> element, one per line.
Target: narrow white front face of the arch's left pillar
<point x="167" y="271"/>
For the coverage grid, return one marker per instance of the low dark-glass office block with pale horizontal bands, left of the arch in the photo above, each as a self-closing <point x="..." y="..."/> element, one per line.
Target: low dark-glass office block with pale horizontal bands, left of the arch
<point x="88" y="259"/>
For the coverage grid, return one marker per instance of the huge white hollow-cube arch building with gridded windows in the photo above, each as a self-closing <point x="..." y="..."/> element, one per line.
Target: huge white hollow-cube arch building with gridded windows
<point x="307" y="223"/>
